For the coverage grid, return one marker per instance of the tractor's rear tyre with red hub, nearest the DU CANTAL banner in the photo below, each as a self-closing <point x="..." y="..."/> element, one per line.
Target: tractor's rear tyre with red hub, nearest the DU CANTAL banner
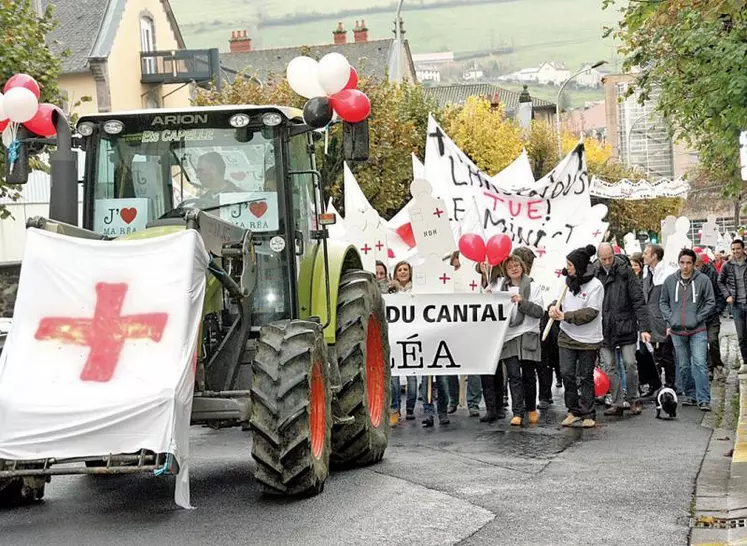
<point x="363" y="359"/>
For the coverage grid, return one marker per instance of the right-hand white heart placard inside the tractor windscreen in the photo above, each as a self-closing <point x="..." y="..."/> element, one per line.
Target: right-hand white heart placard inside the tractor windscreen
<point x="256" y="211"/>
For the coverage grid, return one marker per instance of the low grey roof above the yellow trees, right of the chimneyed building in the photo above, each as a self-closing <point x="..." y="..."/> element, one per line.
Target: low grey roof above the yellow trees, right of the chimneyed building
<point x="459" y="93"/>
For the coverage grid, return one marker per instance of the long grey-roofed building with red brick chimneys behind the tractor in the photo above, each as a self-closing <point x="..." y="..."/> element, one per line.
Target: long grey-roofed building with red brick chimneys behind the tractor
<point x="370" y="57"/>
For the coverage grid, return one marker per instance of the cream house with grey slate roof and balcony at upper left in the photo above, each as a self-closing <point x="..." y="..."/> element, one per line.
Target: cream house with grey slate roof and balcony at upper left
<point x="105" y="39"/>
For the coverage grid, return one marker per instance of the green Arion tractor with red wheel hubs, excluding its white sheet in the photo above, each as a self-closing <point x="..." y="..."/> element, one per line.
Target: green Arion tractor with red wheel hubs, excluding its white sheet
<point x="294" y="339"/>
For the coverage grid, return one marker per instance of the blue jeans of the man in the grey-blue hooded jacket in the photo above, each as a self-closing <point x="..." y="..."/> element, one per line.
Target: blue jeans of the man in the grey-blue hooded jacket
<point x="692" y="356"/>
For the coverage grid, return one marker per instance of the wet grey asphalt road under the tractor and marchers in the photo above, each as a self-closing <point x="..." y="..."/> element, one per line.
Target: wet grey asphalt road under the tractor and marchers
<point x="628" y="481"/>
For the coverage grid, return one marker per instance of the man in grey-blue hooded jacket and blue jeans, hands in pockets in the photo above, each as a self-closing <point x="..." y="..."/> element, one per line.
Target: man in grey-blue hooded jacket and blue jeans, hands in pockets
<point x="686" y="302"/>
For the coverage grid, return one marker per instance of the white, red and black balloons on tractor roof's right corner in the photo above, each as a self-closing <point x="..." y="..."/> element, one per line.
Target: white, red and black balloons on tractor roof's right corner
<point x="330" y="85"/>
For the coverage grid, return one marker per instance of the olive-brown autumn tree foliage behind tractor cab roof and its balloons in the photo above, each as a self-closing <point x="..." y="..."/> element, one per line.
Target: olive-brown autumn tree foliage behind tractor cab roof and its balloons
<point x="397" y="128"/>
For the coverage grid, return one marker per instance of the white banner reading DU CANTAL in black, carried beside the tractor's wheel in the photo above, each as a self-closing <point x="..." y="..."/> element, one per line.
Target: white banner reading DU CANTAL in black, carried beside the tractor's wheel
<point x="446" y="334"/>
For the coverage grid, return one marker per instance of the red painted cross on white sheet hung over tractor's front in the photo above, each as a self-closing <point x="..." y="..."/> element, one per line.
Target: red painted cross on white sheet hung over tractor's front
<point x="105" y="333"/>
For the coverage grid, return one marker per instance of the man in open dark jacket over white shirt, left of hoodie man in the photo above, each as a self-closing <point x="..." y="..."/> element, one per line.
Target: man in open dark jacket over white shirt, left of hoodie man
<point x="655" y="274"/>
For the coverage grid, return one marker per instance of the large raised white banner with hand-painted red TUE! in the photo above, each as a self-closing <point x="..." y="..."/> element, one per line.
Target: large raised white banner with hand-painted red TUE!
<point x="550" y="208"/>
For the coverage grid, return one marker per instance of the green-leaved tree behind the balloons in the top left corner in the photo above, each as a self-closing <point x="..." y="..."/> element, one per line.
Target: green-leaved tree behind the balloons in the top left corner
<point x="23" y="49"/>
